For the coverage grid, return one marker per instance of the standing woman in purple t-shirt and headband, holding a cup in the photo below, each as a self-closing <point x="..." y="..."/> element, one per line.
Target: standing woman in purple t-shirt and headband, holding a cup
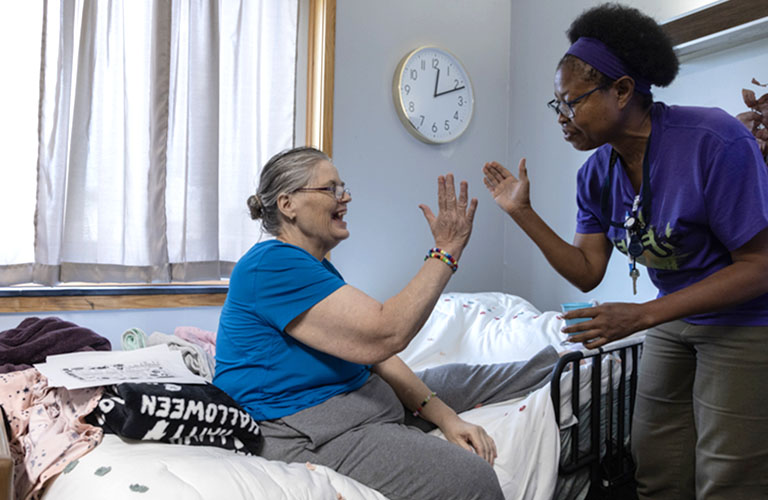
<point x="684" y="192"/>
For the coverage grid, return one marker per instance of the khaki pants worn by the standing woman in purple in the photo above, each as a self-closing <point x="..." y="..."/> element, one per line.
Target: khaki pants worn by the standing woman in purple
<point x="700" y="427"/>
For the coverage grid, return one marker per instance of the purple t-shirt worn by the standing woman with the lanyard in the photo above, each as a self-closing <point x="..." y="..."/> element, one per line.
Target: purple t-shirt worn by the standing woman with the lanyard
<point x="709" y="196"/>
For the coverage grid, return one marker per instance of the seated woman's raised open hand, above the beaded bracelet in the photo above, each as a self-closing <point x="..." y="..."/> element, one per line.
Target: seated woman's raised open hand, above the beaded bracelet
<point x="452" y="226"/>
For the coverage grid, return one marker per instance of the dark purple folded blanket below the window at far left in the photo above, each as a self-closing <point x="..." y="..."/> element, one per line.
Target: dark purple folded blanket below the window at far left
<point x="36" y="338"/>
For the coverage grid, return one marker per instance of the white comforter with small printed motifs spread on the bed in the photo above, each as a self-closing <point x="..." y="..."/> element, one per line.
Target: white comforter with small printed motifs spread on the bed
<point x="472" y="328"/>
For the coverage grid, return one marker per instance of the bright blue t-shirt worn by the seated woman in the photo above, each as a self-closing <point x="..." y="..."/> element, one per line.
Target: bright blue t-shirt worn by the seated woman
<point x="268" y="372"/>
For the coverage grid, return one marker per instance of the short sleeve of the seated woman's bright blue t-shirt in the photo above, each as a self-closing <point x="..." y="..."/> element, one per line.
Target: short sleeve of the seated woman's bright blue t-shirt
<point x="289" y="282"/>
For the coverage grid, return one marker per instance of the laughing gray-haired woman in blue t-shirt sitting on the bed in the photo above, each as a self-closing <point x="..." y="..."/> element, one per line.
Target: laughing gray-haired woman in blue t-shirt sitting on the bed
<point x="314" y="359"/>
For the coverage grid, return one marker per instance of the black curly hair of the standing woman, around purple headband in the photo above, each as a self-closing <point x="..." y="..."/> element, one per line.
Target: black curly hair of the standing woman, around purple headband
<point x="633" y="36"/>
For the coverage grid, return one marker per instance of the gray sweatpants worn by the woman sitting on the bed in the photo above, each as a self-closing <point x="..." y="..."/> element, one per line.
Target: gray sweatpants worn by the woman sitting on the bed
<point x="368" y="435"/>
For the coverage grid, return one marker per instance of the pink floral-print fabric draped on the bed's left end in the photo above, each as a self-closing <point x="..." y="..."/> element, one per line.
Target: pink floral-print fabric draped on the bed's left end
<point x="47" y="427"/>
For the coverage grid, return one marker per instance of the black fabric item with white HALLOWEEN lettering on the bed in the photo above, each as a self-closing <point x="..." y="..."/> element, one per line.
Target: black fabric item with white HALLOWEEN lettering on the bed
<point x="193" y="414"/>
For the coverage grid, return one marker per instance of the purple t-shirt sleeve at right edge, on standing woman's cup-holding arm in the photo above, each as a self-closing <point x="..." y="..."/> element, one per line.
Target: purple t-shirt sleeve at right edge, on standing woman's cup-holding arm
<point x="736" y="193"/>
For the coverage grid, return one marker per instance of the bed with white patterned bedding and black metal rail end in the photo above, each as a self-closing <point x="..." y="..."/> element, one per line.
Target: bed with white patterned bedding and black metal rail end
<point x="546" y="450"/>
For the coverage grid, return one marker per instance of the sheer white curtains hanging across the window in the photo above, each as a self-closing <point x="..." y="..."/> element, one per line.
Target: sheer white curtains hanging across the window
<point x="155" y="118"/>
